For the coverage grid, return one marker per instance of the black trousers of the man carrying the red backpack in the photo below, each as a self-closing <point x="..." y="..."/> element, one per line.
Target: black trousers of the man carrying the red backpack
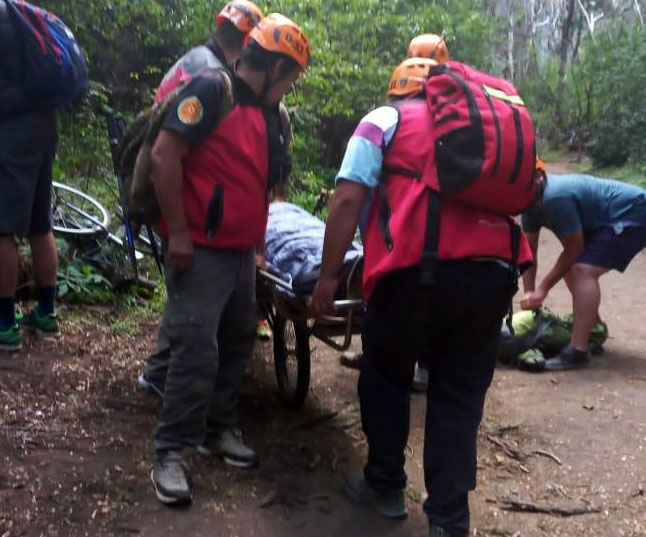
<point x="458" y="319"/>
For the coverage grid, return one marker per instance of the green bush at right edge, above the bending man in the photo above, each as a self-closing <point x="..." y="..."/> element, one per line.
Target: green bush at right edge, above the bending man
<point x="599" y="107"/>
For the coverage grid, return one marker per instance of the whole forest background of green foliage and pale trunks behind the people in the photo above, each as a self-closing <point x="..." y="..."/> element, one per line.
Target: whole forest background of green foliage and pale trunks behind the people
<point x="579" y="64"/>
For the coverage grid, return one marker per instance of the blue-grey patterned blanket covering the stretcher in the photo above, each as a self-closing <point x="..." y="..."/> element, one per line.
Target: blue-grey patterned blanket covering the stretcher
<point x="295" y="245"/>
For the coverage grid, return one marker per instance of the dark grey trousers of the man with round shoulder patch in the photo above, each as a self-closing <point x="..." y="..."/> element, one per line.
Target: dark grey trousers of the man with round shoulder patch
<point x="209" y="327"/>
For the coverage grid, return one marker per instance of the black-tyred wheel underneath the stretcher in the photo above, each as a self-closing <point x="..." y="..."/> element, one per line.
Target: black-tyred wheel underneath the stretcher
<point x="291" y="360"/>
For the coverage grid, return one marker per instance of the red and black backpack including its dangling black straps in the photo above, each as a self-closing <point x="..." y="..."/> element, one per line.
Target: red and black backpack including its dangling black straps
<point x="482" y="153"/>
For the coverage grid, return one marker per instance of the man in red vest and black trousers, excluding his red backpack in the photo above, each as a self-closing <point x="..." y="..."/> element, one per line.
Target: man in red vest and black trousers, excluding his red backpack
<point x="454" y="305"/>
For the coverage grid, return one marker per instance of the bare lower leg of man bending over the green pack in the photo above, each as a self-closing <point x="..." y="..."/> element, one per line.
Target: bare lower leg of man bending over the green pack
<point x="583" y="282"/>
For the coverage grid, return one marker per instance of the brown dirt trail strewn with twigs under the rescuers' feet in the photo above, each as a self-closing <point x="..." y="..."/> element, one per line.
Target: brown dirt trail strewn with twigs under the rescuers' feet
<point x="75" y="441"/>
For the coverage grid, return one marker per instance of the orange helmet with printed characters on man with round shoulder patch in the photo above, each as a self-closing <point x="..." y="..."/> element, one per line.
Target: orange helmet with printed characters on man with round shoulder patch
<point x="277" y="33"/>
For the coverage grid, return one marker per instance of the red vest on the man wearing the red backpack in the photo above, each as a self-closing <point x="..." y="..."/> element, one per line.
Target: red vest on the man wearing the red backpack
<point x="395" y="233"/>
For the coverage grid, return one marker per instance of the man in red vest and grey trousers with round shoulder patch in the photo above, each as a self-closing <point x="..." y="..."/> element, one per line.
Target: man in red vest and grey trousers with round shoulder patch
<point x="212" y="182"/>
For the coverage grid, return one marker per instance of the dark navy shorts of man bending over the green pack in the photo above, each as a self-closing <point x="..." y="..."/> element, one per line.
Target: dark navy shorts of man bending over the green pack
<point x="607" y="249"/>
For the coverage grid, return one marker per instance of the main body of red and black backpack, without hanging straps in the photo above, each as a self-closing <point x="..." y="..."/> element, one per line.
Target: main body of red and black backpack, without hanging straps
<point x="484" y="140"/>
